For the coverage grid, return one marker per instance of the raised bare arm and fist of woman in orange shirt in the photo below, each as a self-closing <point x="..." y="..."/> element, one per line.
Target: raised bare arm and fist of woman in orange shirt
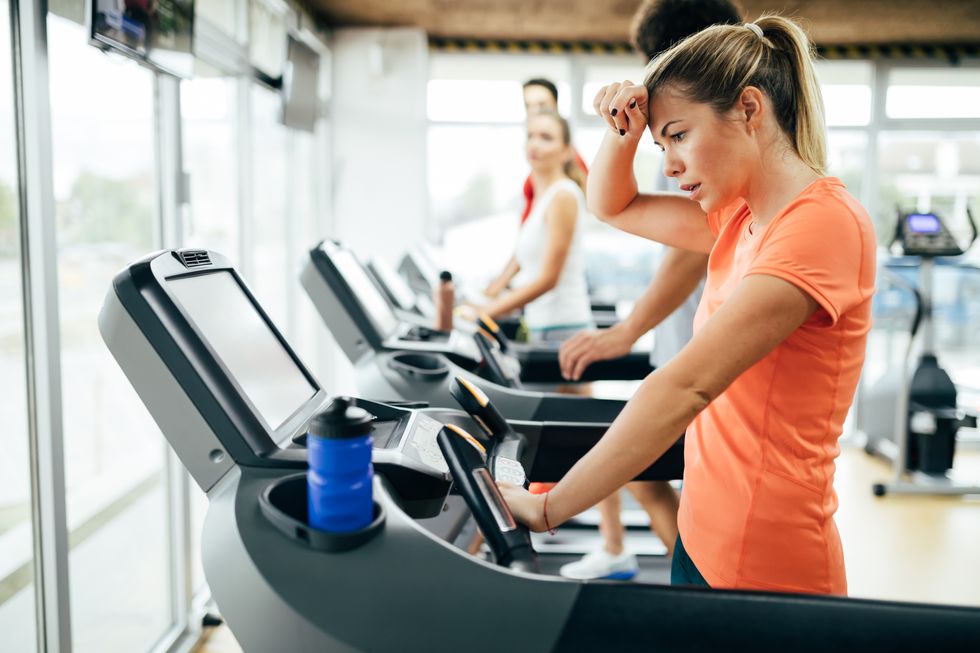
<point x="669" y="218"/>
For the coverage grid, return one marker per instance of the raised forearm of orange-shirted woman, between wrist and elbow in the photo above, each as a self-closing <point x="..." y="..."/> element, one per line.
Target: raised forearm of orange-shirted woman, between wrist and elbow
<point x="611" y="183"/>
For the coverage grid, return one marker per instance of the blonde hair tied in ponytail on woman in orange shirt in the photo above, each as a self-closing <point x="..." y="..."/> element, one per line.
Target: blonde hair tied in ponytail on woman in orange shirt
<point x="773" y="54"/>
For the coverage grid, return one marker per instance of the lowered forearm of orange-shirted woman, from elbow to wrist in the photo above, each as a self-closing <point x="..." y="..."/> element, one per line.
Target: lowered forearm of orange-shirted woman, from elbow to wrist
<point x="648" y="425"/>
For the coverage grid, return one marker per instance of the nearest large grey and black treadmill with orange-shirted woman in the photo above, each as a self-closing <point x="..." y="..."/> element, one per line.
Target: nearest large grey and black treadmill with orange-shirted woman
<point x="233" y="399"/>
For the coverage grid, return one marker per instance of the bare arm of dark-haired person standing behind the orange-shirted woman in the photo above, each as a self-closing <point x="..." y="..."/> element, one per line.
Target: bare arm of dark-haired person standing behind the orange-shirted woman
<point x="678" y="276"/>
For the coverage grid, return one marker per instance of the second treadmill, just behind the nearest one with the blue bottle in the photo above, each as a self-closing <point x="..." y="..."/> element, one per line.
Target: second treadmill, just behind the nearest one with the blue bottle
<point x="352" y="308"/>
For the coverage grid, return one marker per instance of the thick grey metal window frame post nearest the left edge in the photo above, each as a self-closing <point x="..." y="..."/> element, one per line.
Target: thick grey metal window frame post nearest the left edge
<point x="40" y="287"/>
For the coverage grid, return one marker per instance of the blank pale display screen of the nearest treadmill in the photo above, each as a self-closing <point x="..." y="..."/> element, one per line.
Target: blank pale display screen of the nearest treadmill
<point x="243" y="341"/>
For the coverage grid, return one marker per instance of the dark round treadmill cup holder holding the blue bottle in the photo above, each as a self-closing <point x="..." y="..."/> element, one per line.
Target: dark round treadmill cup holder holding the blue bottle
<point x="283" y="503"/>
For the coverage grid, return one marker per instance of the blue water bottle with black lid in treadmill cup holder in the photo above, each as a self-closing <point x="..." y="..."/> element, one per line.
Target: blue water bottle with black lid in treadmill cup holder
<point x="339" y="478"/>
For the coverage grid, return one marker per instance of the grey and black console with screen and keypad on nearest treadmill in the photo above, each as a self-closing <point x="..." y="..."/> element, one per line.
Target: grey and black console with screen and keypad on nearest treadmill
<point x="226" y="388"/>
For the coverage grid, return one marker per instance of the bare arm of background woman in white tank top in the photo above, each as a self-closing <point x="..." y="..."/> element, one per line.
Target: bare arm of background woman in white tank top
<point x="560" y="218"/>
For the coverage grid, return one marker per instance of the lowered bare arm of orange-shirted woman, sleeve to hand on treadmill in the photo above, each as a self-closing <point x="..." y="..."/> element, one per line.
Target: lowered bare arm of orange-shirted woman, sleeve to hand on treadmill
<point x="762" y="312"/>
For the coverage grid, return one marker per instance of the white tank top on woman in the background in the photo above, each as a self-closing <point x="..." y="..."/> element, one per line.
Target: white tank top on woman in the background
<point x="567" y="304"/>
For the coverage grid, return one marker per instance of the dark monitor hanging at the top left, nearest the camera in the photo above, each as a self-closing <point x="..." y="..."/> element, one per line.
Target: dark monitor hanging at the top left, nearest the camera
<point x="159" y="33"/>
